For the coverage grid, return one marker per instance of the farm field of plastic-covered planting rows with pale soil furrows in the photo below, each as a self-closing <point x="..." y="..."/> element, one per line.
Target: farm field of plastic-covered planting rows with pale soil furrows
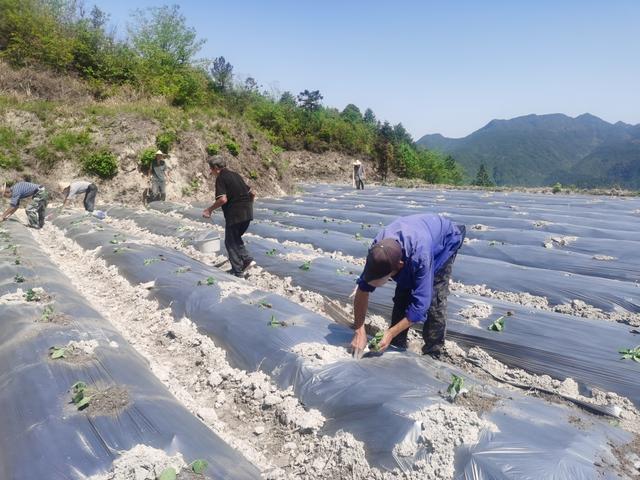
<point x="182" y="363"/>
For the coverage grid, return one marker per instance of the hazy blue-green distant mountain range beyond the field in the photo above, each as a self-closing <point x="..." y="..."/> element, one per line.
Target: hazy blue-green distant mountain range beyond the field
<point x="538" y="150"/>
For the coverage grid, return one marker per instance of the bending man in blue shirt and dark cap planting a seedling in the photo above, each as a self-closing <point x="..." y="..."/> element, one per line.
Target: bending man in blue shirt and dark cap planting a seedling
<point x="417" y="252"/>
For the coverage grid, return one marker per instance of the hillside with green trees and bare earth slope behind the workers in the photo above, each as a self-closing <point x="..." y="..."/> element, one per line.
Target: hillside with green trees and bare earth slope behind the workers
<point x="67" y="79"/>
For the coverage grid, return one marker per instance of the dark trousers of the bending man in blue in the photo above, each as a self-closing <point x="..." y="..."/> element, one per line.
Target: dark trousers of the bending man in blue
<point x="435" y="326"/>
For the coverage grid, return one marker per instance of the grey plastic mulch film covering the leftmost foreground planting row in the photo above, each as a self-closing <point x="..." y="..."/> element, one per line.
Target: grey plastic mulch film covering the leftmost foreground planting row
<point x="43" y="435"/>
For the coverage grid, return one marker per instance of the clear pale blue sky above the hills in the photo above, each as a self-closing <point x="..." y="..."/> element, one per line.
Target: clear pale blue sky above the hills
<point x="443" y="66"/>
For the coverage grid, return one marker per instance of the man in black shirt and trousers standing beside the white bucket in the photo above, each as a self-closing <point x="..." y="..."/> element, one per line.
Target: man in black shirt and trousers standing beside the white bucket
<point x="236" y="199"/>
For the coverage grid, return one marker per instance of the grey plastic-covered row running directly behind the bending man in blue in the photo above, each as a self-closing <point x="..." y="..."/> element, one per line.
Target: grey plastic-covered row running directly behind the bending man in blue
<point x="534" y="340"/>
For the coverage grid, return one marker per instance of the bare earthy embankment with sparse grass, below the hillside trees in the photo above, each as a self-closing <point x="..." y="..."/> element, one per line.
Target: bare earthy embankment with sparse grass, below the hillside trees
<point x="50" y="122"/>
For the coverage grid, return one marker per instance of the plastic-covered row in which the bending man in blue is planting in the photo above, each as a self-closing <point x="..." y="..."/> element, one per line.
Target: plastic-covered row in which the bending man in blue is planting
<point x="376" y="399"/>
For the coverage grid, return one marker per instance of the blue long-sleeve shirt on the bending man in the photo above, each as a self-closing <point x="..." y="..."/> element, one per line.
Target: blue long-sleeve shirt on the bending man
<point x="427" y="242"/>
